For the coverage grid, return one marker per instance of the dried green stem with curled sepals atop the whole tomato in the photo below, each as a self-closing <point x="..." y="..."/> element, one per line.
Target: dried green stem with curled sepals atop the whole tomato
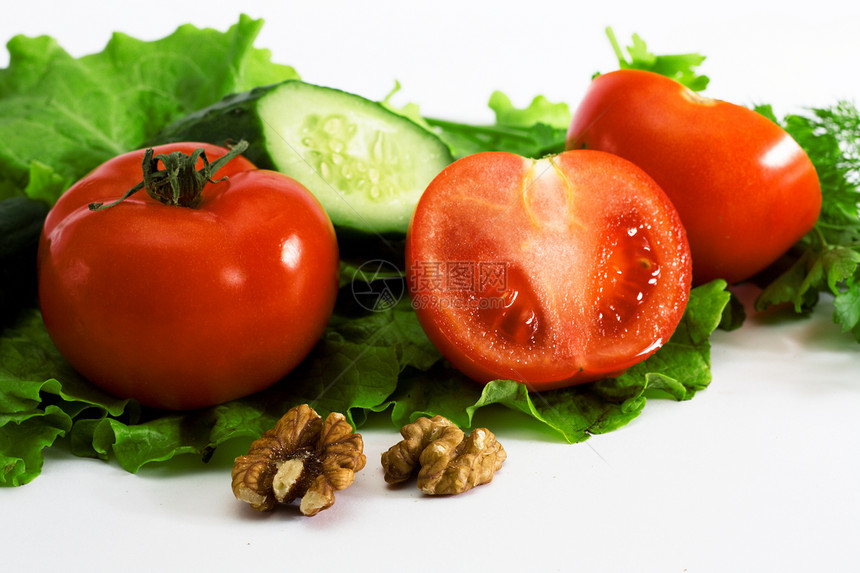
<point x="179" y="182"/>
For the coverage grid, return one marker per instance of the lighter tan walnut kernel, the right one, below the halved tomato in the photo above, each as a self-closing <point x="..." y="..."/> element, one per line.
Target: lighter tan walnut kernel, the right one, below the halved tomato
<point x="449" y="461"/>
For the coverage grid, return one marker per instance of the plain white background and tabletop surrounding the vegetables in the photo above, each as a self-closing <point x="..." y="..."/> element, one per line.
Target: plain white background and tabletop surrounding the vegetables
<point x="758" y="473"/>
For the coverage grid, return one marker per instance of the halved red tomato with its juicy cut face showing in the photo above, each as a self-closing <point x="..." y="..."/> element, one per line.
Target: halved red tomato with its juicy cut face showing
<point x="551" y="272"/>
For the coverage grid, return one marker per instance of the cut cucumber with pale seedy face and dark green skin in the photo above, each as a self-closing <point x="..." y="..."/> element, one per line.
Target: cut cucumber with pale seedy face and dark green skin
<point x="368" y="166"/>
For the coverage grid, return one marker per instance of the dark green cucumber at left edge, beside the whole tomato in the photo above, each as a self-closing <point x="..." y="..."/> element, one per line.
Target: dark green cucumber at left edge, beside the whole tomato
<point x="21" y="221"/>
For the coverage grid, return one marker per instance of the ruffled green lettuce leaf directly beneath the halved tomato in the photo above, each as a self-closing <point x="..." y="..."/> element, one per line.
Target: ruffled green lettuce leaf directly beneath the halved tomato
<point x="678" y="370"/>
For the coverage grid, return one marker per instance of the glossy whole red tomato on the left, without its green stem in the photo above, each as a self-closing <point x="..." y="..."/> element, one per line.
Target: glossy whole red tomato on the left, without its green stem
<point x="180" y="307"/>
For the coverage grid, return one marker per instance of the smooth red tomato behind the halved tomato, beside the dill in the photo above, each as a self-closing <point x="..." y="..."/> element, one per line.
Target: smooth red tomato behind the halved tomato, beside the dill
<point x="745" y="190"/>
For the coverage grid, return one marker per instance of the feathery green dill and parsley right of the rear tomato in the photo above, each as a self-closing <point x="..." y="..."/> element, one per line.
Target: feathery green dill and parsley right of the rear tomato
<point x="828" y="258"/>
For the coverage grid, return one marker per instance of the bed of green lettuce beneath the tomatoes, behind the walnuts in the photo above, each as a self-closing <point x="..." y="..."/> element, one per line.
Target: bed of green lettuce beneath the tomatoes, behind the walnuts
<point x="365" y="363"/>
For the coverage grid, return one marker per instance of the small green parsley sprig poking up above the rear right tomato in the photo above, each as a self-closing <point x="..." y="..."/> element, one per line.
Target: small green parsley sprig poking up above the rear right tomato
<point x="679" y="67"/>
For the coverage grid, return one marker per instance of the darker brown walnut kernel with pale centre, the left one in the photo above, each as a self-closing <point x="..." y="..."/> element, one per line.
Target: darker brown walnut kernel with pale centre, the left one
<point x="301" y="457"/>
